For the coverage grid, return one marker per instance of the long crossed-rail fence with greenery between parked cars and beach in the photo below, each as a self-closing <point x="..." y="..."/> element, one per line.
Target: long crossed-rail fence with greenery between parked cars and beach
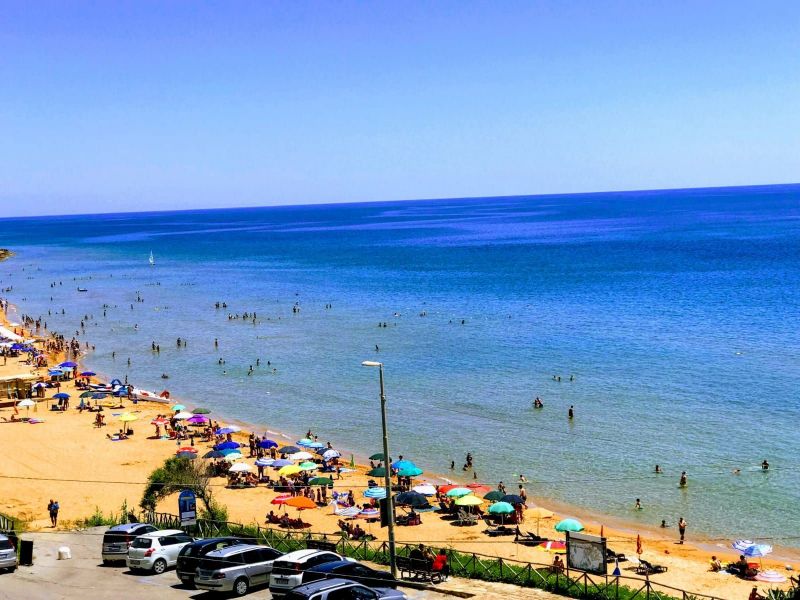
<point x="570" y="583"/>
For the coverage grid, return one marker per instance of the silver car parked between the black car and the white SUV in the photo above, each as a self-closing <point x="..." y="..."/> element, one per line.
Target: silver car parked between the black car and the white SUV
<point x="236" y="568"/>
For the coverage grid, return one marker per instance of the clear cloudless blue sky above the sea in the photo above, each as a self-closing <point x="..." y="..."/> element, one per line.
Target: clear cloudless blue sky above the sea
<point x="116" y="106"/>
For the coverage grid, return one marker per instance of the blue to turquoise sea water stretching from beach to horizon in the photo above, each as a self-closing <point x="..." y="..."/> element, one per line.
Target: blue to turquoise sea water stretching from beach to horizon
<point x="676" y="312"/>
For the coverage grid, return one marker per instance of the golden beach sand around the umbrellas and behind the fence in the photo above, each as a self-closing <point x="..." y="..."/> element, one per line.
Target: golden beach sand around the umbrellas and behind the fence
<point x="68" y="459"/>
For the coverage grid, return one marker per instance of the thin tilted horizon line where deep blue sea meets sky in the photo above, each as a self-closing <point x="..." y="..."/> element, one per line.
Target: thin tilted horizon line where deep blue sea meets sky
<point x="397" y="201"/>
